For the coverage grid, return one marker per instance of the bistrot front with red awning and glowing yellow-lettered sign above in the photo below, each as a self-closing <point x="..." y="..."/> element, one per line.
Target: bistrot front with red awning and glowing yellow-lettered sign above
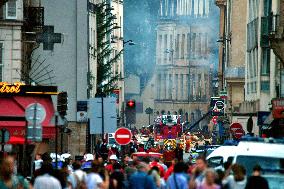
<point x="15" y="98"/>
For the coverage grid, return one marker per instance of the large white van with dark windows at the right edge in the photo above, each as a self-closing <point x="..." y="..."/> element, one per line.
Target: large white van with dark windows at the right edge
<point x="268" y="153"/>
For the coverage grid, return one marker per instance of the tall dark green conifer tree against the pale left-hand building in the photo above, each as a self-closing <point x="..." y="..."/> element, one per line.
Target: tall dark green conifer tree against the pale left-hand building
<point x="106" y="79"/>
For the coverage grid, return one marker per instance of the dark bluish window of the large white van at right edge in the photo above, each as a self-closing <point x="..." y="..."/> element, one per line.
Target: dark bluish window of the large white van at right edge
<point x="266" y="163"/>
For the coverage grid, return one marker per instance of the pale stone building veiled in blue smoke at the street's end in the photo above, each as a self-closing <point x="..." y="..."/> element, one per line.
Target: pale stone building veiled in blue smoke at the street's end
<point x="185" y="56"/>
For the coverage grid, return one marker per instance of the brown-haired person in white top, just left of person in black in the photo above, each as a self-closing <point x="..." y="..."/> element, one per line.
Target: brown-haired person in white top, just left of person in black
<point x="238" y="179"/>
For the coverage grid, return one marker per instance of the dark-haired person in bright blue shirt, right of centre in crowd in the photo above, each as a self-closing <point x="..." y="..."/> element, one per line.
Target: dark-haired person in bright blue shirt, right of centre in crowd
<point x="178" y="180"/>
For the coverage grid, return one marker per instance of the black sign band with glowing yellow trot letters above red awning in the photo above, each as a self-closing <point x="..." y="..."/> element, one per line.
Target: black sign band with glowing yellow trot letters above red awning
<point x="19" y="88"/>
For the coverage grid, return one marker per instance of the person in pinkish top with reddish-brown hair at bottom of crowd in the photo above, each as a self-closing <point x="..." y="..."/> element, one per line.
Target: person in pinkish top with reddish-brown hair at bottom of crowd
<point x="209" y="181"/>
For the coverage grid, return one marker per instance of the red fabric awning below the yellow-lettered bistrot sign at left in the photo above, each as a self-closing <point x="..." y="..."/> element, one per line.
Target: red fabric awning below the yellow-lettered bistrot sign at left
<point x="16" y="105"/>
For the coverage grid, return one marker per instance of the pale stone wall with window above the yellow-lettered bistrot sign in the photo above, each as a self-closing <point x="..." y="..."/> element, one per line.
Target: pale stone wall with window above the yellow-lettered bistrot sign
<point x="11" y="21"/>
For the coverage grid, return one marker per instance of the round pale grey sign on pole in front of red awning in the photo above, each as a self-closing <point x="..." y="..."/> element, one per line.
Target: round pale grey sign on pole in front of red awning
<point x="35" y="113"/>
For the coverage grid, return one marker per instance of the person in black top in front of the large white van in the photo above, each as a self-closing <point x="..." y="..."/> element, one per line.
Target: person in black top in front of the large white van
<point x="256" y="180"/>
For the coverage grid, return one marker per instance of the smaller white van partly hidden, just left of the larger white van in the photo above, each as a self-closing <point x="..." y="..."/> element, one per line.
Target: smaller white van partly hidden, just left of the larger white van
<point x="221" y="155"/>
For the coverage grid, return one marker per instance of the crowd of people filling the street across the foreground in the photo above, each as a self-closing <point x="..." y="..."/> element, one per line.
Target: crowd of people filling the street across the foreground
<point x="130" y="173"/>
